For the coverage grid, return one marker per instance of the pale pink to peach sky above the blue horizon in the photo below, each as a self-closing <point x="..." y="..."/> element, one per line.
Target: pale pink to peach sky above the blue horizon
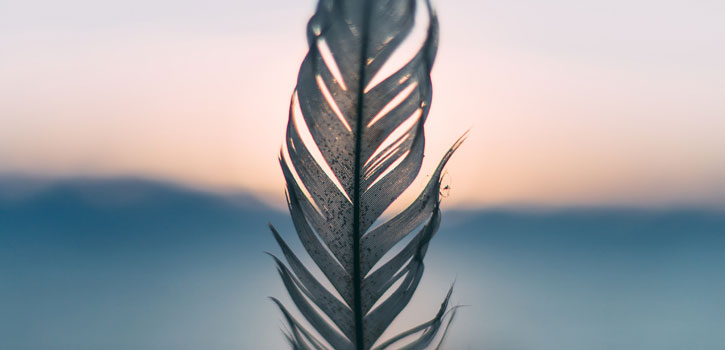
<point x="617" y="102"/>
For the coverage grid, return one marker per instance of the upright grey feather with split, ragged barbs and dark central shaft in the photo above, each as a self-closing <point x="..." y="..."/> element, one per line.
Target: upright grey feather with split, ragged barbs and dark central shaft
<point x="369" y="156"/>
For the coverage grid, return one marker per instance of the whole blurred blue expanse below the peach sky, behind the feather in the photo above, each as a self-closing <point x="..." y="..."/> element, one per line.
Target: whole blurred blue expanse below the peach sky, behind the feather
<point x="130" y="264"/>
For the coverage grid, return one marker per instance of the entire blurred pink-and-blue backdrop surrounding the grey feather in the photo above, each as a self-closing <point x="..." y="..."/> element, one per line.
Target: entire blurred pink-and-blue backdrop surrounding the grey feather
<point x="138" y="170"/>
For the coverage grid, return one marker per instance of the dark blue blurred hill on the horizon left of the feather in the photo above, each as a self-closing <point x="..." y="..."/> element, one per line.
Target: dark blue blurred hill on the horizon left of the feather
<point x="124" y="210"/>
